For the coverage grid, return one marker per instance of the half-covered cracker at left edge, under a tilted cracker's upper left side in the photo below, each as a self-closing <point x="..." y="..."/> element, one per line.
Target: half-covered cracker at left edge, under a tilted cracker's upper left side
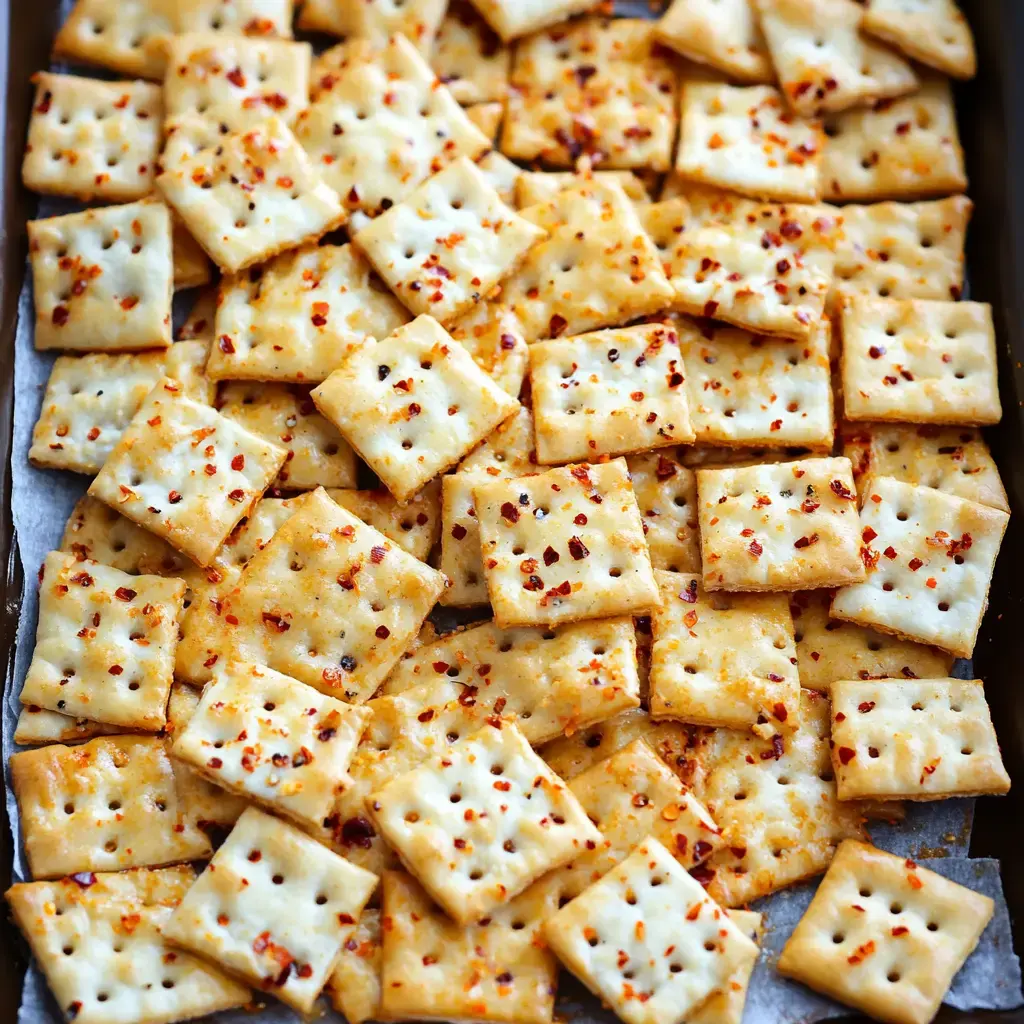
<point x="91" y="400"/>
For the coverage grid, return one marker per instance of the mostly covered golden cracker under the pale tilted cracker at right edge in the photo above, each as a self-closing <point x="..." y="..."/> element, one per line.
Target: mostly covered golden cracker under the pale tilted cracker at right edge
<point x="829" y="650"/>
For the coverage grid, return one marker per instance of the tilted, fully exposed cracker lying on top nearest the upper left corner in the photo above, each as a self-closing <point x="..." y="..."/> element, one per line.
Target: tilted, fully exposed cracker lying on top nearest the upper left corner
<point x="251" y="197"/>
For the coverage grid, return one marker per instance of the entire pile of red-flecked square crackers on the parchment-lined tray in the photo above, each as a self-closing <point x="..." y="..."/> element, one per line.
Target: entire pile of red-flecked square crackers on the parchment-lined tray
<point x="713" y="460"/>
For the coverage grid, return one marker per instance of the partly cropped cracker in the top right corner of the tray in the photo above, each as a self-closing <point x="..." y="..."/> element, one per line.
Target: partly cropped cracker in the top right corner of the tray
<point x="934" y="32"/>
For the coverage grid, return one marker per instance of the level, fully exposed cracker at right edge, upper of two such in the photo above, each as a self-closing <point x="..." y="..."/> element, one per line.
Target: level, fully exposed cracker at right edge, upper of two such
<point x="919" y="361"/>
